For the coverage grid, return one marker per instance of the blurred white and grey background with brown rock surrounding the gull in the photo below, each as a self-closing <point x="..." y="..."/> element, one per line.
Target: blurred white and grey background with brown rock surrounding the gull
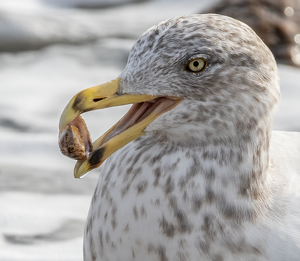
<point x="50" y="50"/>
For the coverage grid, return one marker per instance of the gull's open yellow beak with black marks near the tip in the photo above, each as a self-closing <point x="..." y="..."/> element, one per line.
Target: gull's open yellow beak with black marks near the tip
<point x="145" y="109"/>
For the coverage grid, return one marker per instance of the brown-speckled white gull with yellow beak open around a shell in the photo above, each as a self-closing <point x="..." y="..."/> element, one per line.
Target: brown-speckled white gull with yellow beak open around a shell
<point x="193" y="171"/>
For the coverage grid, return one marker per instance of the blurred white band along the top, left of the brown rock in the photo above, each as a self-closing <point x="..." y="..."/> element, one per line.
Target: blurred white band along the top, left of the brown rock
<point x="38" y="25"/>
